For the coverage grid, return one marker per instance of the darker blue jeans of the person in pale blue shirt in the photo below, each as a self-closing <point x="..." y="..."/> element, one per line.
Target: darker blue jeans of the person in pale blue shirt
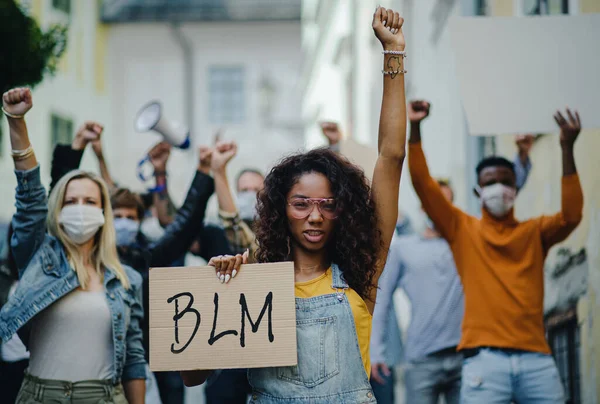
<point x="436" y="375"/>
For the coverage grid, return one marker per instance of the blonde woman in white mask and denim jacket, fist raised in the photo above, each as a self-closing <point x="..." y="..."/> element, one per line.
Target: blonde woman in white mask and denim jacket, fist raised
<point x="76" y="307"/>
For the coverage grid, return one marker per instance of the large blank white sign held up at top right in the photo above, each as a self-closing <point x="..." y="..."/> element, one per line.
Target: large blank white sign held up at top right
<point x="514" y="73"/>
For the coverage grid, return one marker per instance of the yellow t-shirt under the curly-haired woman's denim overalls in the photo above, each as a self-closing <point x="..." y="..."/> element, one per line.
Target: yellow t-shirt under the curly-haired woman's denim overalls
<point x="362" y="318"/>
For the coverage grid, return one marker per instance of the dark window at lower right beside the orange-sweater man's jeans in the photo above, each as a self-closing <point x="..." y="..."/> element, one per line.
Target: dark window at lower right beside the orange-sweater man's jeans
<point x="564" y="340"/>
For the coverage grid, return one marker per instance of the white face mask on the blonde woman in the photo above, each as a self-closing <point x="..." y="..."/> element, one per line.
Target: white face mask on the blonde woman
<point x="81" y="222"/>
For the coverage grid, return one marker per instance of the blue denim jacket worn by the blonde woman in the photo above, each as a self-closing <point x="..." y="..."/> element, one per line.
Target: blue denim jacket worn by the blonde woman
<point x="46" y="276"/>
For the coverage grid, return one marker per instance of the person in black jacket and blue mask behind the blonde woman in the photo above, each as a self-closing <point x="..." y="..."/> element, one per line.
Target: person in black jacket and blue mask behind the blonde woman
<point x="134" y="247"/>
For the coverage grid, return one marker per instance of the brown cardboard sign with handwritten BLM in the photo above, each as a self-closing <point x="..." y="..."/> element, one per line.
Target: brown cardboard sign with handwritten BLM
<point x="196" y="322"/>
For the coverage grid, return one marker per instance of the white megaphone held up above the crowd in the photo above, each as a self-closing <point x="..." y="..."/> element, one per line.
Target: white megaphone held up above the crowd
<point x="150" y="118"/>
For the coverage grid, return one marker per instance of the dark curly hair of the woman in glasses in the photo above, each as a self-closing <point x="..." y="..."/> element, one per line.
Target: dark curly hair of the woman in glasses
<point x="356" y="239"/>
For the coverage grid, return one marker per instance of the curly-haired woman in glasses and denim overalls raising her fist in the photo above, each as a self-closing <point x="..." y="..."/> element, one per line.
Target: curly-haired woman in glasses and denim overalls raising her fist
<point x="318" y="210"/>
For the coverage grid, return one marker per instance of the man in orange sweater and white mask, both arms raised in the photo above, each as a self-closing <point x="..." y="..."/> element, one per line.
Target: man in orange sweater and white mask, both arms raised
<point x="500" y="261"/>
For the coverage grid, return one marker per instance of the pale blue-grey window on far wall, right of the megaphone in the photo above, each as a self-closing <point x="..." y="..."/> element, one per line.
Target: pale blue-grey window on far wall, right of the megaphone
<point x="227" y="95"/>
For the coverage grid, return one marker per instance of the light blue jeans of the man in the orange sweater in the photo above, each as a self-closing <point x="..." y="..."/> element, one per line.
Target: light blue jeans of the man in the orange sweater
<point x="495" y="376"/>
